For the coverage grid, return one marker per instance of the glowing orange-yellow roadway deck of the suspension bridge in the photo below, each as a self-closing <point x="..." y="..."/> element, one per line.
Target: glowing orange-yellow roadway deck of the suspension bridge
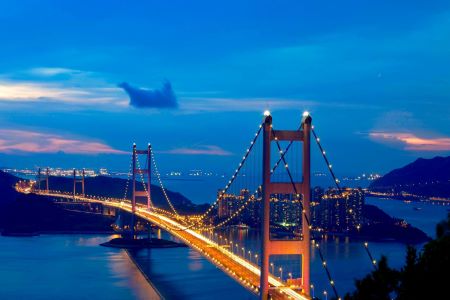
<point x="243" y="271"/>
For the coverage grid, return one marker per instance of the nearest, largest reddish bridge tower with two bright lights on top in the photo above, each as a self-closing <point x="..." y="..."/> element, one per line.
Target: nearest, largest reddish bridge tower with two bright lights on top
<point x="284" y="247"/>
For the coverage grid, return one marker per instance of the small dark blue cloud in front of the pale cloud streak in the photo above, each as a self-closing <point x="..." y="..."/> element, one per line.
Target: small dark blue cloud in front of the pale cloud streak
<point x="156" y="98"/>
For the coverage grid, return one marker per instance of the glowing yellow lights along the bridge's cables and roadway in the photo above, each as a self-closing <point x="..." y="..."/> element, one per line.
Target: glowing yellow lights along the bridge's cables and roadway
<point x="232" y="261"/>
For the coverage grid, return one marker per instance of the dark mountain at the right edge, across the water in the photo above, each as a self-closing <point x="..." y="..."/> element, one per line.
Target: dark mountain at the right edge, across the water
<point x="424" y="177"/>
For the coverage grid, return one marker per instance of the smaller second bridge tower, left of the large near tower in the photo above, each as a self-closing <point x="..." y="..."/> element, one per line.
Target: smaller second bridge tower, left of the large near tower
<point x="141" y="172"/>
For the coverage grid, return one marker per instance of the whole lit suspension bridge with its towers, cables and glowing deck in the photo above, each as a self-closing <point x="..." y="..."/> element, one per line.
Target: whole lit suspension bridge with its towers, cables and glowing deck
<point x="264" y="177"/>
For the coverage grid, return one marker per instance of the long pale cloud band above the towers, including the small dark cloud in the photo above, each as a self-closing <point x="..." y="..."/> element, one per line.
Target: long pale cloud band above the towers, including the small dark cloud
<point x="86" y="90"/>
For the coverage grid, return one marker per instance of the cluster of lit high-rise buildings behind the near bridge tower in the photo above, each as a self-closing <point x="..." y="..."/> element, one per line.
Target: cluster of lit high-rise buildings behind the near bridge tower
<point x="331" y="210"/>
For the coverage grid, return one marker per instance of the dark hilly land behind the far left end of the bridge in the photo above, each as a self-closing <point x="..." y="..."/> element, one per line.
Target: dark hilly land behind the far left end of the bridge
<point x="32" y="213"/>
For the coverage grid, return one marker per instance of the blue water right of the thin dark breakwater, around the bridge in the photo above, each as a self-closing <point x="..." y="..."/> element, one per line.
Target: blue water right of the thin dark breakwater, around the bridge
<point x="347" y="260"/>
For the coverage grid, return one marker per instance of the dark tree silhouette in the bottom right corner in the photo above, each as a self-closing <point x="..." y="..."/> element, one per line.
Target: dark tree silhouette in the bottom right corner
<point x="424" y="276"/>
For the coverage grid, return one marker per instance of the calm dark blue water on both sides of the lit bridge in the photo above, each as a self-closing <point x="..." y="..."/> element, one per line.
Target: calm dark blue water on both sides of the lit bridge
<point x="75" y="267"/>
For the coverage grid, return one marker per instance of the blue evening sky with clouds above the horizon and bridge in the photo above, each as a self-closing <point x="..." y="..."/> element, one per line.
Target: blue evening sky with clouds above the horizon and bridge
<point x="375" y="76"/>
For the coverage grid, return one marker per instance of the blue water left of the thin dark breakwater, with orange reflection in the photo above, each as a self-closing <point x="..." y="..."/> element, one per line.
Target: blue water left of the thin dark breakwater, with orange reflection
<point x="67" y="267"/>
